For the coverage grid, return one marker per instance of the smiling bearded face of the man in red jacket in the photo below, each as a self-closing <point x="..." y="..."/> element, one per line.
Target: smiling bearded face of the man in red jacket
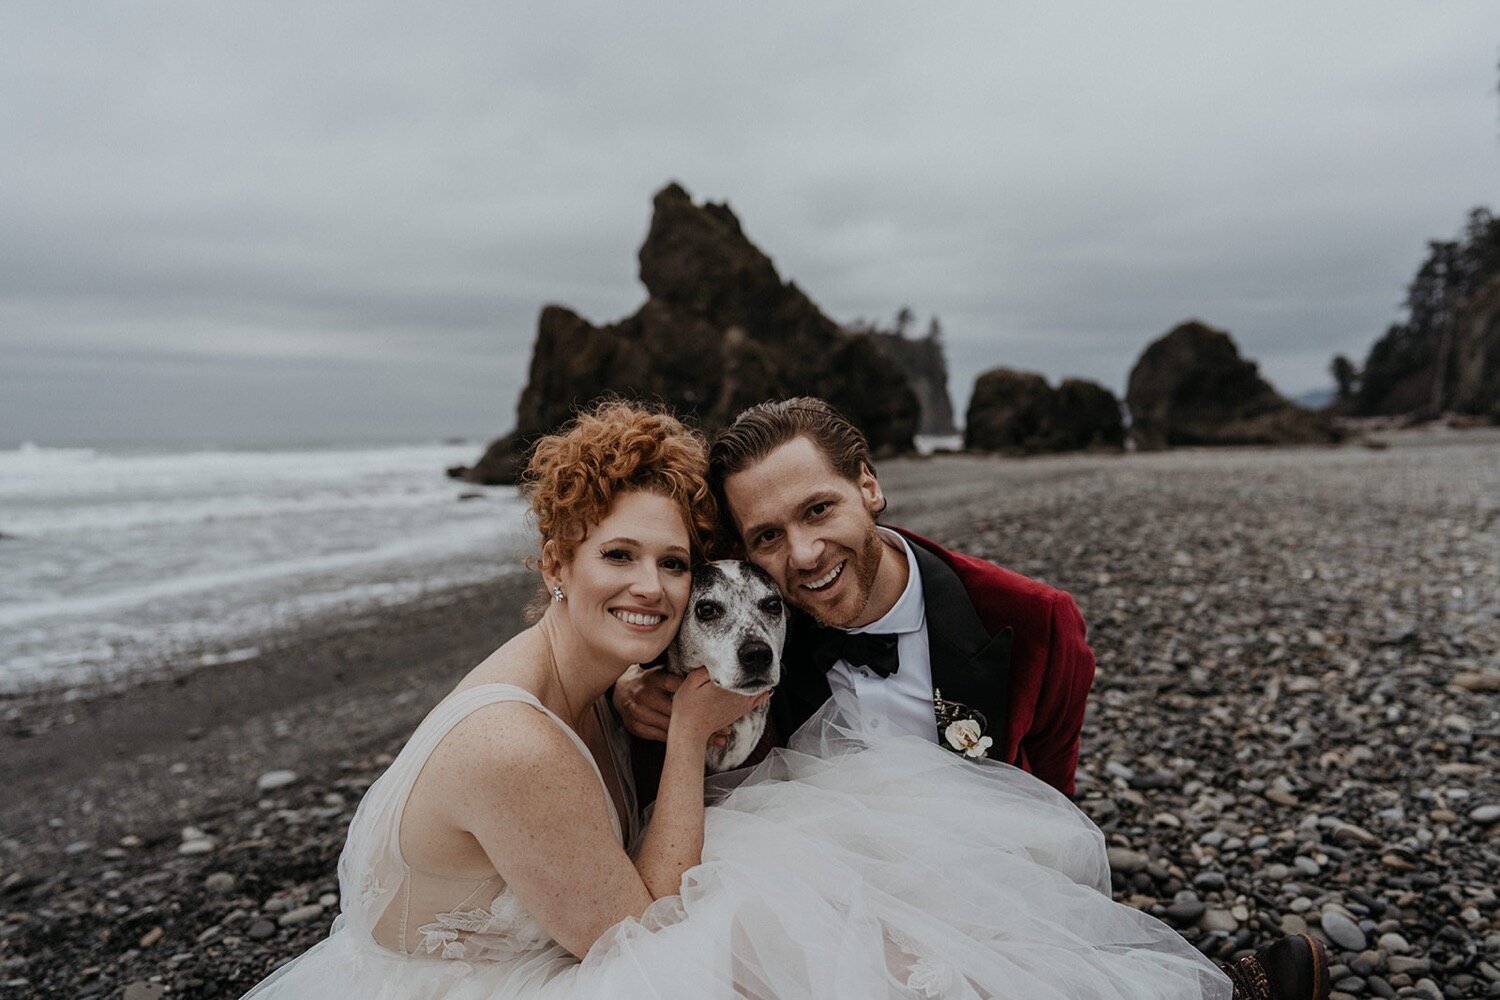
<point x="812" y="530"/>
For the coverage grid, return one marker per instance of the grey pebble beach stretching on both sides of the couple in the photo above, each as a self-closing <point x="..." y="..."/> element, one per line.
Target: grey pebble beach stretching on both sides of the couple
<point x="1295" y="725"/>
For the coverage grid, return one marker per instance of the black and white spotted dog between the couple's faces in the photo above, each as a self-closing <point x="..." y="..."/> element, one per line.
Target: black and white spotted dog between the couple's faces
<point x="736" y="626"/>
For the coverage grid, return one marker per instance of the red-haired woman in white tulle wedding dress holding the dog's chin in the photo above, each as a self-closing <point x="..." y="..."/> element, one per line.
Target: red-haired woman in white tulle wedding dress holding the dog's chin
<point x="499" y="855"/>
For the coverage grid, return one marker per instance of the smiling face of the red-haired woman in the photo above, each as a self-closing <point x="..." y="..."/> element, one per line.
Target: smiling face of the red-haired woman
<point x="628" y="581"/>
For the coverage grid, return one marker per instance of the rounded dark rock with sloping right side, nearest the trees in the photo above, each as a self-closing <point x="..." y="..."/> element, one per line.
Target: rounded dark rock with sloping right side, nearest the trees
<point x="1192" y="388"/>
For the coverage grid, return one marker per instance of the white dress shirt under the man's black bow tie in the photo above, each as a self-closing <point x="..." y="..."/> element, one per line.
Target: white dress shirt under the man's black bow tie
<point x="904" y="701"/>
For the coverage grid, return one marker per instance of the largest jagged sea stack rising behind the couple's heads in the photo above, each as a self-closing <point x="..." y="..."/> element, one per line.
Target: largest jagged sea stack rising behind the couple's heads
<point x="719" y="332"/>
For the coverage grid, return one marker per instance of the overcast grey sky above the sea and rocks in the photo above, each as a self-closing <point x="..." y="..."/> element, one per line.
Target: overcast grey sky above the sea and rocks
<point x="289" y="223"/>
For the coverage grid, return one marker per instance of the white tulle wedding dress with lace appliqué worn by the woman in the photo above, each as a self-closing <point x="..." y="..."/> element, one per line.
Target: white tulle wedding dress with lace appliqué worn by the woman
<point x="845" y="866"/>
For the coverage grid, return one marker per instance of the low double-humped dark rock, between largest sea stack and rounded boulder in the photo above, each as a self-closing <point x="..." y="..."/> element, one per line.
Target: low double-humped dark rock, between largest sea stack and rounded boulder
<point x="1019" y="413"/>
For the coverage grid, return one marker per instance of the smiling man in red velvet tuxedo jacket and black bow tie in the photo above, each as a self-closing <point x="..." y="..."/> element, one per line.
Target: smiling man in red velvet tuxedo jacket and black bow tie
<point x="946" y="647"/>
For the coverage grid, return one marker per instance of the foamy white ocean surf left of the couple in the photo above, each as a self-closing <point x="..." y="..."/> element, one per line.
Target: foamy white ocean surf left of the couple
<point x="115" y="563"/>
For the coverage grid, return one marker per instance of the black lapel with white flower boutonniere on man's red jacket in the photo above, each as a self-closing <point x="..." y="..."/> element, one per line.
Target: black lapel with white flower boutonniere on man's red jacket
<point x="970" y="665"/>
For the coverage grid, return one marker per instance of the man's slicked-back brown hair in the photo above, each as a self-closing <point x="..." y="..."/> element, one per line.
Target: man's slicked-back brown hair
<point x="764" y="428"/>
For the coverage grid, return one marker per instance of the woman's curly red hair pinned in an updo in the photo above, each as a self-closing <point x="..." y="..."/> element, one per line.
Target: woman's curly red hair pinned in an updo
<point x="617" y="448"/>
